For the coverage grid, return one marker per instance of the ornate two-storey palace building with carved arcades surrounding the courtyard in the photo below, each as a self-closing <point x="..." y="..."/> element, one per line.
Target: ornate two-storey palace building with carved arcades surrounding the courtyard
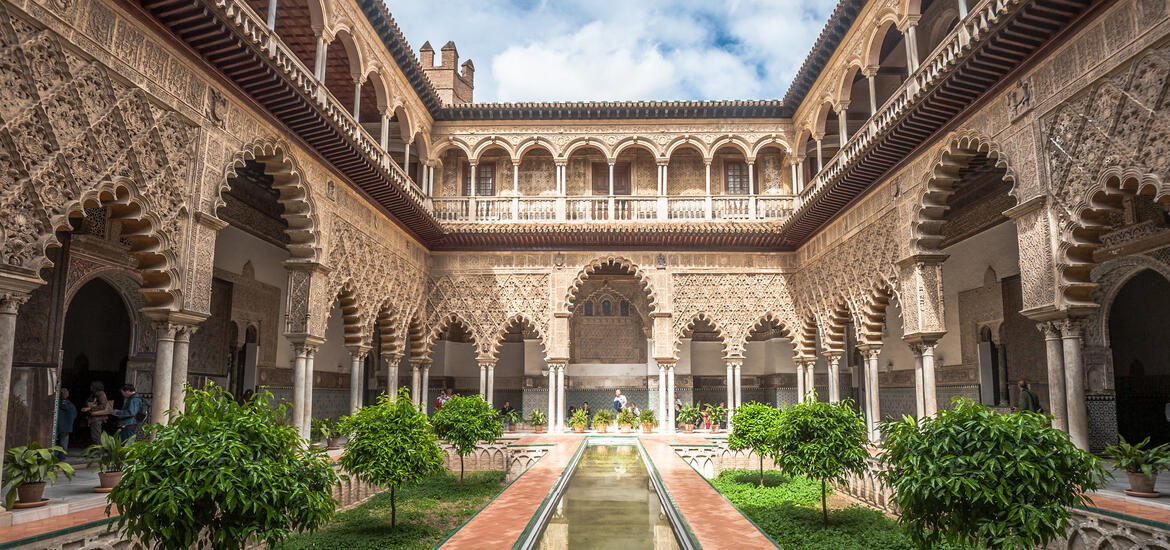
<point x="280" y="195"/>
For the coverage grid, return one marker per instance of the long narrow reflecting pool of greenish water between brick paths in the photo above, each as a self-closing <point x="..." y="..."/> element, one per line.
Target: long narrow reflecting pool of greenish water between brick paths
<point x="611" y="505"/>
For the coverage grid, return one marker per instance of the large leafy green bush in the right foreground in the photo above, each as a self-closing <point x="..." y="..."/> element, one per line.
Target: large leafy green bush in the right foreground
<point x="992" y="480"/>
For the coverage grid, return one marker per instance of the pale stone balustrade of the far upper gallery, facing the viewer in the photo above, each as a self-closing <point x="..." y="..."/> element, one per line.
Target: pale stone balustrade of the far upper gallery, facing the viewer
<point x="510" y="210"/>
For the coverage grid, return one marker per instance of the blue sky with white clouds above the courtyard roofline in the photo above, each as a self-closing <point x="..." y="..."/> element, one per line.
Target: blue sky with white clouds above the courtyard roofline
<point x="528" y="51"/>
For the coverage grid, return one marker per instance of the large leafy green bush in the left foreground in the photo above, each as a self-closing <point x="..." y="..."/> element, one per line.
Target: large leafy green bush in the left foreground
<point x="222" y="475"/>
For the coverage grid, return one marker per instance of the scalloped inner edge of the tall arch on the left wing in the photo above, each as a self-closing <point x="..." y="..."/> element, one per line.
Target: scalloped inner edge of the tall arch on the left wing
<point x="300" y="212"/>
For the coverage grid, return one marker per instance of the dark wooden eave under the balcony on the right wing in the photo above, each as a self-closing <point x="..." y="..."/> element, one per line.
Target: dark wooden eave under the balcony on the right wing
<point x="955" y="91"/>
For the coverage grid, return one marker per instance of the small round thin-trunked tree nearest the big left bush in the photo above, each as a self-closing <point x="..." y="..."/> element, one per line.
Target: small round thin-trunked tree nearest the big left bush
<point x="391" y="444"/>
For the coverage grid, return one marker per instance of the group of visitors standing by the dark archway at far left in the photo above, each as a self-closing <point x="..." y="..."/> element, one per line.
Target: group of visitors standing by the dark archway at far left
<point x="100" y="412"/>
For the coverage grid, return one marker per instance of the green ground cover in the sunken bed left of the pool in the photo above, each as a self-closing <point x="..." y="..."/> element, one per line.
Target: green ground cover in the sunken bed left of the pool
<point x="428" y="512"/>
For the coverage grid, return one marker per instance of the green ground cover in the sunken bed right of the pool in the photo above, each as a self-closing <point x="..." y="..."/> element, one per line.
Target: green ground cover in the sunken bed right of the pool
<point x="788" y="510"/>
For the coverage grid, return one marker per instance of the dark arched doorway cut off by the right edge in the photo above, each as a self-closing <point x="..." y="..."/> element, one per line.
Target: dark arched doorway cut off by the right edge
<point x="1139" y="332"/>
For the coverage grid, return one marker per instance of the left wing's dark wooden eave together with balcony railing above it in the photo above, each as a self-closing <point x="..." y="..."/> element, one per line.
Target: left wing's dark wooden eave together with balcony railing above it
<point x="237" y="44"/>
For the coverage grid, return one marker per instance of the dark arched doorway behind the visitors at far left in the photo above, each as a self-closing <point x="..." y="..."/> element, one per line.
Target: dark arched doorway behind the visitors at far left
<point x="95" y="347"/>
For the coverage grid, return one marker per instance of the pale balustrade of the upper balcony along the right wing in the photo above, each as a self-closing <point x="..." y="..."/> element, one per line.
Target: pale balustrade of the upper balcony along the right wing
<point x="941" y="60"/>
